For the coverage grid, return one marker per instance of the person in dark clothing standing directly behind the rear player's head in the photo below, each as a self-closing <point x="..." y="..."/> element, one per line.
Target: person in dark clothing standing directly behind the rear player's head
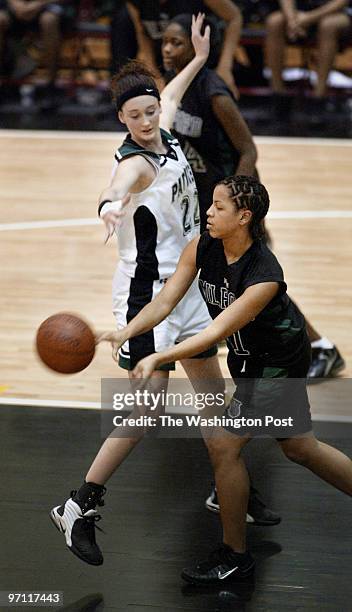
<point x="137" y="28"/>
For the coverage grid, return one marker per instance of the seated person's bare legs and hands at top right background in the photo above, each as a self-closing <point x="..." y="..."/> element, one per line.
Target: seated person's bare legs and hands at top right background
<point x="298" y="21"/>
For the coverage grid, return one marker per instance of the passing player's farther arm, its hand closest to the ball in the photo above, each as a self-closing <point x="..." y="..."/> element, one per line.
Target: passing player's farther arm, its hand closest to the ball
<point x="157" y="310"/>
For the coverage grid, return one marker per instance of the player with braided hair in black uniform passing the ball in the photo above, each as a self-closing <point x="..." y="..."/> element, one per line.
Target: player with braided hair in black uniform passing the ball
<point x="244" y="288"/>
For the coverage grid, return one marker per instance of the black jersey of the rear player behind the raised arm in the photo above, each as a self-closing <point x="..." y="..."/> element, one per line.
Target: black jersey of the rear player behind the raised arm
<point x="205" y="143"/>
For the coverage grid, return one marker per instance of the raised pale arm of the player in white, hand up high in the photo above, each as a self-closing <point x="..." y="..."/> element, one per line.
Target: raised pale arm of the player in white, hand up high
<point x="173" y="93"/>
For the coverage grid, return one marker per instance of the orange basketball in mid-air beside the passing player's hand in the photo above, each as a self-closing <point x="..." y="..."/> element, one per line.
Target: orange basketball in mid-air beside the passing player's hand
<point x="65" y="343"/>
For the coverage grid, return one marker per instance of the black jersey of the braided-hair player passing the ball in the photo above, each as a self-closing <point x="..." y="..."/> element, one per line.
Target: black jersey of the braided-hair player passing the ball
<point x="276" y="333"/>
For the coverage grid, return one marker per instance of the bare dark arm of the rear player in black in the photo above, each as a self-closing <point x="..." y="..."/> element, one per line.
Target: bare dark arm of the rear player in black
<point x="237" y="130"/>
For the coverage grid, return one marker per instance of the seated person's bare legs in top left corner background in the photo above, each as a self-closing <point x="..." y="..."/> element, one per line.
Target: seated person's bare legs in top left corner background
<point x="17" y="17"/>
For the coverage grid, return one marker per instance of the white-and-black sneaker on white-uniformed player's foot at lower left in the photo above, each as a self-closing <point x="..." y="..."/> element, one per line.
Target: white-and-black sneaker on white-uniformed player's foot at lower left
<point x="78" y="525"/>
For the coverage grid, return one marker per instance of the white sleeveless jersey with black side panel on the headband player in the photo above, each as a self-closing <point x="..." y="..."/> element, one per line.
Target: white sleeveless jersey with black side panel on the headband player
<point x="162" y="219"/>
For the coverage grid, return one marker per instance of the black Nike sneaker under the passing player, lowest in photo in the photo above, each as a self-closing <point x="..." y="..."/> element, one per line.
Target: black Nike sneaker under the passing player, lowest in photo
<point x="222" y="564"/>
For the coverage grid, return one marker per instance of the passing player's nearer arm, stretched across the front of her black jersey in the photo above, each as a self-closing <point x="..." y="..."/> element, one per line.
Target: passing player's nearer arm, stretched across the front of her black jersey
<point x="232" y="319"/>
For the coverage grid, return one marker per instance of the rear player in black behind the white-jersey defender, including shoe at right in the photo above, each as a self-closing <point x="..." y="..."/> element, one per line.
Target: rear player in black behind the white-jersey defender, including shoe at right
<point x="217" y="142"/>
